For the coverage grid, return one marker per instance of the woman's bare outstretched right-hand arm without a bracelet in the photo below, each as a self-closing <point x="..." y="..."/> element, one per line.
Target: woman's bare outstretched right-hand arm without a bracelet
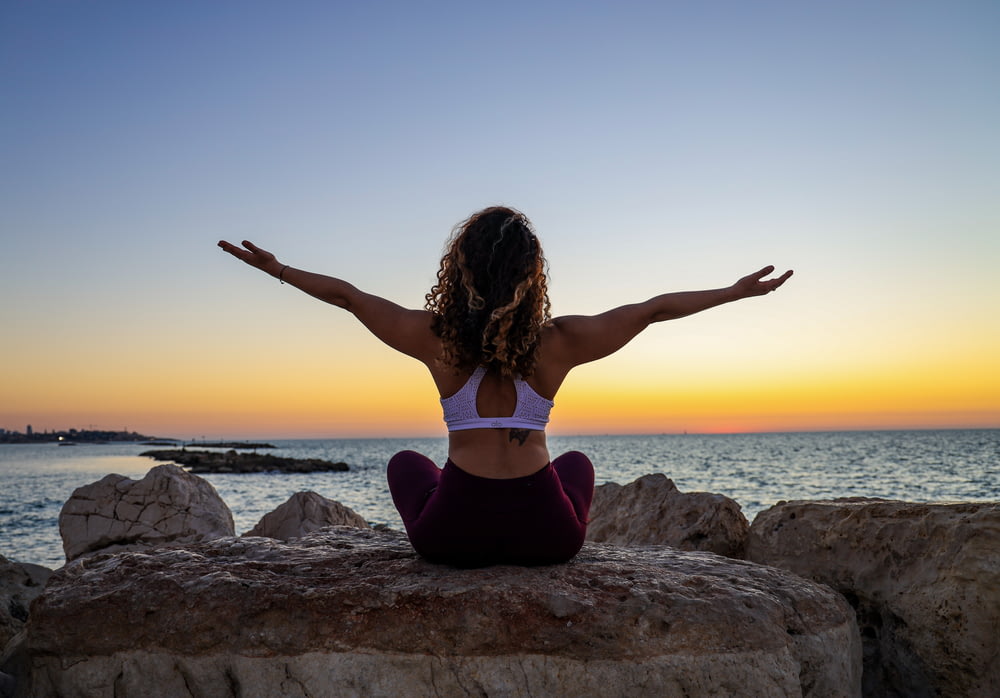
<point x="578" y="339"/>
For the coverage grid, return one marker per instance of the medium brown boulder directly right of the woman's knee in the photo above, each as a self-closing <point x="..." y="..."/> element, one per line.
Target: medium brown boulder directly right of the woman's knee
<point x="652" y="511"/>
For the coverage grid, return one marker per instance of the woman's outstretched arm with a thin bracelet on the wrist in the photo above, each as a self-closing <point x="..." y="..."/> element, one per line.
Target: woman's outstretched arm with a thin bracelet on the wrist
<point x="402" y="329"/>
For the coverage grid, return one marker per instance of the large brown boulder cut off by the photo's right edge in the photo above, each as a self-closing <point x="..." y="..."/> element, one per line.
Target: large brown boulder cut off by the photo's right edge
<point x="924" y="578"/>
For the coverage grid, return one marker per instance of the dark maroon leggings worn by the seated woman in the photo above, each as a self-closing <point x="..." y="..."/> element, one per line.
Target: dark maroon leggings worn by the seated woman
<point x="461" y="519"/>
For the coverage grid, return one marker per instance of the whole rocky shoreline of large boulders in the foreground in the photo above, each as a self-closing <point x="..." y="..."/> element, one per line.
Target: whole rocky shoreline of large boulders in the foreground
<point x="674" y="594"/>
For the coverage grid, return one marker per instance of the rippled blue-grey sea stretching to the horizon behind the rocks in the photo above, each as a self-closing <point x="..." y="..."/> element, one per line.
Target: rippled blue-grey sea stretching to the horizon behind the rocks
<point x="756" y="470"/>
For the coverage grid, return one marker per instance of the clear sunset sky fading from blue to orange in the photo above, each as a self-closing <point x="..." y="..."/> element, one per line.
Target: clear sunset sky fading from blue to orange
<point x="656" y="146"/>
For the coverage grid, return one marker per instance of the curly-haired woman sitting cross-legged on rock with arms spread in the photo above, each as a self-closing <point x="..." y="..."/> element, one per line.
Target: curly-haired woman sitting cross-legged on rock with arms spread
<point x="498" y="360"/>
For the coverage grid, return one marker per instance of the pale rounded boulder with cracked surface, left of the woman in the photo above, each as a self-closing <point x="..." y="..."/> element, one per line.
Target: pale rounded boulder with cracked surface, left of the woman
<point x="168" y="505"/>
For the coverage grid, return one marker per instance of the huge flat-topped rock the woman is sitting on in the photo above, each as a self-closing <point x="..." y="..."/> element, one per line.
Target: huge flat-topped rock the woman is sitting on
<point x="345" y="612"/>
